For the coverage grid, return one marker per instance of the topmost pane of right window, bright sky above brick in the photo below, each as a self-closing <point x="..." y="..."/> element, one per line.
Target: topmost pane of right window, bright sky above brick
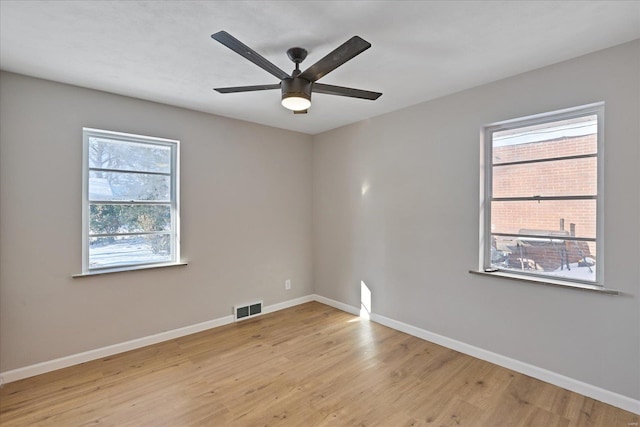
<point x="548" y="140"/>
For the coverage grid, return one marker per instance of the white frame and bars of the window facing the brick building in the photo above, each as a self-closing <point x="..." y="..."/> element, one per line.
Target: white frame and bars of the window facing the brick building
<point x="486" y="194"/>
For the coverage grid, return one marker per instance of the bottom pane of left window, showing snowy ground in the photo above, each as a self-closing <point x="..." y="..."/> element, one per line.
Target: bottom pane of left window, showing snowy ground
<point x="128" y="250"/>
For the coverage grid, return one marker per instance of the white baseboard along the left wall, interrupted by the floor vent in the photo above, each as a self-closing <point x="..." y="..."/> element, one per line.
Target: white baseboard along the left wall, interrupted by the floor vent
<point x="99" y="353"/>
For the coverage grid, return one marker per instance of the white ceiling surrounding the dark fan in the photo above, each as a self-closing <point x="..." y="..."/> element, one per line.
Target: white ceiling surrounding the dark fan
<point x="162" y="50"/>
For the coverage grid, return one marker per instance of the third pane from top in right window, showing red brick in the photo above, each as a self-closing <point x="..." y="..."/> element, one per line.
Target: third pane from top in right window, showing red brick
<point x="532" y="217"/>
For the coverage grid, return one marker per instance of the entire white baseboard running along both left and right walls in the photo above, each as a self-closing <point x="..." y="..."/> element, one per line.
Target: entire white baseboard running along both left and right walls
<point x="606" y="396"/>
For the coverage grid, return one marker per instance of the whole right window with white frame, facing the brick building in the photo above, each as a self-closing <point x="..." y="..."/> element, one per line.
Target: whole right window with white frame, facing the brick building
<point x="542" y="196"/>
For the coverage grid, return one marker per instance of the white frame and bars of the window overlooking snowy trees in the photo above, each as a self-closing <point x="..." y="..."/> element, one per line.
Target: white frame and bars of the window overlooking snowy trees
<point x="174" y="196"/>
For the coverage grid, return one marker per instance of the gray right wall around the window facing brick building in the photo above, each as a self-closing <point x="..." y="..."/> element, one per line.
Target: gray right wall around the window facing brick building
<point x="412" y="236"/>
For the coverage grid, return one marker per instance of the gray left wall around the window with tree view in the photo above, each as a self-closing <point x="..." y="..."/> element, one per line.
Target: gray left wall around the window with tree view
<point x="246" y="222"/>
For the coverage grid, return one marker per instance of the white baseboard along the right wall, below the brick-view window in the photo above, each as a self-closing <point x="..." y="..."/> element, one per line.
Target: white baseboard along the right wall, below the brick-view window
<point x="597" y="393"/>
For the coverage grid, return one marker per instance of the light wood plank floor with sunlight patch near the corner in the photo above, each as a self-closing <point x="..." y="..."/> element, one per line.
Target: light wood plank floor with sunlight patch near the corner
<point x="310" y="365"/>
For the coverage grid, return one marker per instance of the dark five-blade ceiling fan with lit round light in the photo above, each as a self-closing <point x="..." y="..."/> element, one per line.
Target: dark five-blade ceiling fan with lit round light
<point x="297" y="87"/>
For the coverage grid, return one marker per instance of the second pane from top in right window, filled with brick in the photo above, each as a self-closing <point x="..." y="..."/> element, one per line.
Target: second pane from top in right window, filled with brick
<point x="574" y="177"/>
